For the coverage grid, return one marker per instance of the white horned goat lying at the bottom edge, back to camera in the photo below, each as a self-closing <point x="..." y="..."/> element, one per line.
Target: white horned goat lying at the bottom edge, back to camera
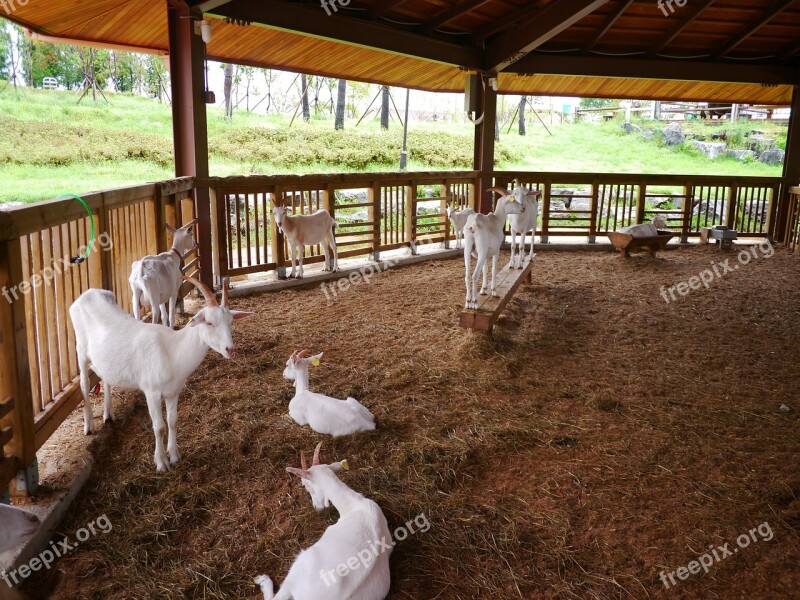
<point x="360" y="540"/>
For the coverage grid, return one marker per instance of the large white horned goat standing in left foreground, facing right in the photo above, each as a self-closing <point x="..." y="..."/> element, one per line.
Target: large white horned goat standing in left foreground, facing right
<point x="156" y="360"/>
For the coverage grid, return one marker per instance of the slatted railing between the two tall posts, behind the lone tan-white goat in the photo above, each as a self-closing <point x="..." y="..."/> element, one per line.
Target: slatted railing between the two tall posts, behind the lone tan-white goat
<point x="374" y="213"/>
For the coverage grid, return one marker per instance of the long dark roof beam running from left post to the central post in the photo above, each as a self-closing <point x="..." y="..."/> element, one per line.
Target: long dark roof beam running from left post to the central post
<point x="315" y="21"/>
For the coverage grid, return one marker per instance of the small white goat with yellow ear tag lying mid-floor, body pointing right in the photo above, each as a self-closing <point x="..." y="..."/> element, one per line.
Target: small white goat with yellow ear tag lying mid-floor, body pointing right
<point x="324" y="414"/>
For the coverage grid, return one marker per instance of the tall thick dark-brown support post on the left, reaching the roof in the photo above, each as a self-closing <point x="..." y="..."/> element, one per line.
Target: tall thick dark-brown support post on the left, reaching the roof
<point x="189" y="120"/>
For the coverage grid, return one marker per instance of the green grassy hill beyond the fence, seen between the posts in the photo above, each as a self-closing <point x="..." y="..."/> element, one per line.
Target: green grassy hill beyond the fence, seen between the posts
<point x="49" y="145"/>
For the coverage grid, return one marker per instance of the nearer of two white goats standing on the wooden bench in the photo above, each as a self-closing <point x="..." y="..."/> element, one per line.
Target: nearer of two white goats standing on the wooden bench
<point x="484" y="235"/>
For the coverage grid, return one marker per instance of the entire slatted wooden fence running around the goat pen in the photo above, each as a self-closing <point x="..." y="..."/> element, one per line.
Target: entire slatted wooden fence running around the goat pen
<point x="375" y="212"/>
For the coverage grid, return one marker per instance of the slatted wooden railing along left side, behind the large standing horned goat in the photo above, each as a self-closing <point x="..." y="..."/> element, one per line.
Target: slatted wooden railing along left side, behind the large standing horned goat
<point x="41" y="275"/>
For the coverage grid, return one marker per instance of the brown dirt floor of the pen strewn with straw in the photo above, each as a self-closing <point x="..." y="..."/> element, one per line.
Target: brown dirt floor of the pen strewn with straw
<point x="600" y="438"/>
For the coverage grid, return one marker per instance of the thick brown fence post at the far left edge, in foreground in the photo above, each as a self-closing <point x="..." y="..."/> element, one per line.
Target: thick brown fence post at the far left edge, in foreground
<point x="15" y="377"/>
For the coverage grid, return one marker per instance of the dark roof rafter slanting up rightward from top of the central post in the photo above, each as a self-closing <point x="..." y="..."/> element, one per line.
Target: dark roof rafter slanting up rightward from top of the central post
<point x="536" y="30"/>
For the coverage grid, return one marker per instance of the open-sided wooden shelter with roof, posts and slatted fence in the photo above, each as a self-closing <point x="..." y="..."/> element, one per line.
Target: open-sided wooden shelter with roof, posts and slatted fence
<point x="709" y="50"/>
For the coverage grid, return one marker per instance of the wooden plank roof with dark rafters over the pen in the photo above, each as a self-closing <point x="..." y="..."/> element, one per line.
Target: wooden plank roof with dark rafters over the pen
<point x="719" y="50"/>
